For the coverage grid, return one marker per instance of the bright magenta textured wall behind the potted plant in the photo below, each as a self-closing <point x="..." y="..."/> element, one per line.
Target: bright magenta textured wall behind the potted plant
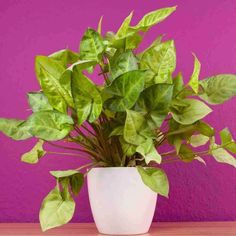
<point x="28" y="28"/>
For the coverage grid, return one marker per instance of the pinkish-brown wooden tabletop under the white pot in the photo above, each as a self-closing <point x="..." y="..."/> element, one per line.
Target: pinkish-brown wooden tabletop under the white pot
<point x="158" y="229"/>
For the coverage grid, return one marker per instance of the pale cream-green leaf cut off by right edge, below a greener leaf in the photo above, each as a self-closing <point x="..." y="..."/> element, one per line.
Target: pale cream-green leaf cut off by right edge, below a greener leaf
<point x="221" y="155"/>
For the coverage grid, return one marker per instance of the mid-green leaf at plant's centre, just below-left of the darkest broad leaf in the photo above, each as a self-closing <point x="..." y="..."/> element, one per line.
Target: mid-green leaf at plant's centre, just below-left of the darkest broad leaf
<point x="133" y="124"/>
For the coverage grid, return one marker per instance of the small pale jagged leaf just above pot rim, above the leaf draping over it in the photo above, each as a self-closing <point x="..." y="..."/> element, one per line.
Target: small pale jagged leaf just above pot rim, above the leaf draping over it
<point x="149" y="152"/>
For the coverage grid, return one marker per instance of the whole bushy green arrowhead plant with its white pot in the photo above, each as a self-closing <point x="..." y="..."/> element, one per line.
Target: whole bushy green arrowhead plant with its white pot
<point x="120" y="125"/>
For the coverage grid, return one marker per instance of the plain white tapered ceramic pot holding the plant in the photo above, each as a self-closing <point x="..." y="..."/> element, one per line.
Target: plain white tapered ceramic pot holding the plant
<point x="121" y="203"/>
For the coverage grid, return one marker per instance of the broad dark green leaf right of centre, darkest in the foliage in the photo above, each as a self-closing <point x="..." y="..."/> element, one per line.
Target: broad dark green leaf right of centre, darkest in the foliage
<point x="155" y="102"/>
